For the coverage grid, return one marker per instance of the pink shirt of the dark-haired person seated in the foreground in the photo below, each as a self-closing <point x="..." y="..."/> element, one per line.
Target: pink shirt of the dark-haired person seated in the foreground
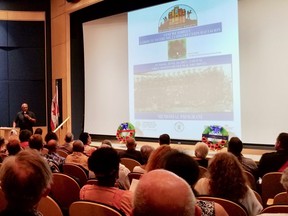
<point x="120" y="199"/>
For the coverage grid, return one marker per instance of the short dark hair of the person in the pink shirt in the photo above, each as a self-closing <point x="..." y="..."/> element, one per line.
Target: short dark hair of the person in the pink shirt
<point x="104" y="162"/>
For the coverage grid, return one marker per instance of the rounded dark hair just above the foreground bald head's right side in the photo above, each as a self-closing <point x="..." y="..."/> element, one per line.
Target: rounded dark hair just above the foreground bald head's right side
<point x="182" y="165"/>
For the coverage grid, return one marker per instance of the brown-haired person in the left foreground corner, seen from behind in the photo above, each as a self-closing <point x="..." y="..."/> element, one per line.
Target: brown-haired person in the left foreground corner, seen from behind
<point x="25" y="178"/>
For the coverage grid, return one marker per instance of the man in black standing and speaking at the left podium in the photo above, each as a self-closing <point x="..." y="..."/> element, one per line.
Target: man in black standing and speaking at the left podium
<point x="25" y="119"/>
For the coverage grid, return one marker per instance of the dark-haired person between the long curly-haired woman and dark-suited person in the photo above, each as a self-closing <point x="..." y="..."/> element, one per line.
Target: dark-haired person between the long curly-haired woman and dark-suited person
<point x="235" y="146"/>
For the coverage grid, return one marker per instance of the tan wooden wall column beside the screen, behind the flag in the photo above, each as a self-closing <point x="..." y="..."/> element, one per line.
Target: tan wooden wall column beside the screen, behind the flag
<point x="60" y="43"/>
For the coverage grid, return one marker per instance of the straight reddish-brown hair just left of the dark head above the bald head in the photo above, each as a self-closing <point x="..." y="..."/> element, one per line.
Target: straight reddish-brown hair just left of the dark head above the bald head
<point x="156" y="158"/>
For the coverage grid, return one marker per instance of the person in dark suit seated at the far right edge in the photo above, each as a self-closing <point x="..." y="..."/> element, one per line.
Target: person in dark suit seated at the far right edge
<point x="273" y="161"/>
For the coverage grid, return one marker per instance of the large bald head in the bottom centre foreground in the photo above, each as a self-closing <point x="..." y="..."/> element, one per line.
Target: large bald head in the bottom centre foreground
<point x="161" y="192"/>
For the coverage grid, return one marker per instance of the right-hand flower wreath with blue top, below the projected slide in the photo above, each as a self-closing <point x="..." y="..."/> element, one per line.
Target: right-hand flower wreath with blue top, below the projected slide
<point x="215" y="137"/>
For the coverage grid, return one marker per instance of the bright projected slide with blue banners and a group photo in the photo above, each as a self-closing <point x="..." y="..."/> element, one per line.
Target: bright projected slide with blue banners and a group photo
<point x="184" y="68"/>
